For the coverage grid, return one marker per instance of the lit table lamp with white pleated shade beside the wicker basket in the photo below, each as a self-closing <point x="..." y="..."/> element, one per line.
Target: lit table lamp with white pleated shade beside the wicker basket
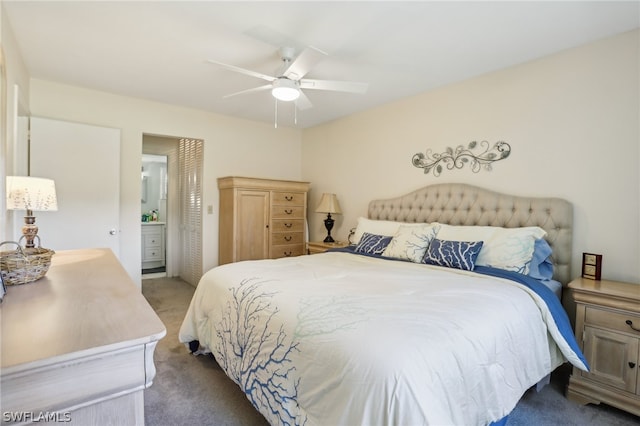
<point x="31" y="194"/>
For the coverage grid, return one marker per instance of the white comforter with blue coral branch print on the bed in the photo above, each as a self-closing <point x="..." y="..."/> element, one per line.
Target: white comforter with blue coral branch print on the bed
<point x="341" y="339"/>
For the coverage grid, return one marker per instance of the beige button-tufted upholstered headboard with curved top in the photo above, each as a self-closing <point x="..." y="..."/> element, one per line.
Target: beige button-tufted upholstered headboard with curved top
<point x="462" y="204"/>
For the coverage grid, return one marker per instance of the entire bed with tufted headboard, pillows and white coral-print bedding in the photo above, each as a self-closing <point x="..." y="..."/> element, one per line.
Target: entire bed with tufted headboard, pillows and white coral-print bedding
<point x="431" y="317"/>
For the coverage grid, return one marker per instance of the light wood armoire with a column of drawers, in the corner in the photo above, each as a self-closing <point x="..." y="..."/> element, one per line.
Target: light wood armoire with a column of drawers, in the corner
<point x="261" y="218"/>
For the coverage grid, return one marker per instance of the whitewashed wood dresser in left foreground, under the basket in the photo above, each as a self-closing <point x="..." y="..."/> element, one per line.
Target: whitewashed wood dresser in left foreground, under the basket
<point x="78" y="344"/>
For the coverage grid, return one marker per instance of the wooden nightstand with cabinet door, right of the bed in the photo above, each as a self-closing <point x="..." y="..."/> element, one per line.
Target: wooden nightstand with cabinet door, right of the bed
<point x="608" y="331"/>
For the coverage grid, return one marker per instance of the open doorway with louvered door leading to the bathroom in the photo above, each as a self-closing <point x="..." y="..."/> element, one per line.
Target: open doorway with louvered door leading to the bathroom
<point x="180" y="213"/>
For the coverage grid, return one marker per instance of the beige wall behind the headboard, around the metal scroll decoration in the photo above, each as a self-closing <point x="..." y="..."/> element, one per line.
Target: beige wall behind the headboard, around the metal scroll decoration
<point x="572" y="120"/>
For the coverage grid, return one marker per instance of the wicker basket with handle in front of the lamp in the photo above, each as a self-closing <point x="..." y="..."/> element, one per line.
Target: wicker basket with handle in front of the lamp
<point x="24" y="265"/>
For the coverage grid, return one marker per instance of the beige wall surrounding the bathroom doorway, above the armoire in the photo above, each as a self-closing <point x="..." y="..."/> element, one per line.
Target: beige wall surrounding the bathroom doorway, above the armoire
<point x="232" y="147"/>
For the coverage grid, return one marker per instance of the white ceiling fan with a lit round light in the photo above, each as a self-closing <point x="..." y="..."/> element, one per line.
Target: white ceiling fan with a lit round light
<point x="288" y="83"/>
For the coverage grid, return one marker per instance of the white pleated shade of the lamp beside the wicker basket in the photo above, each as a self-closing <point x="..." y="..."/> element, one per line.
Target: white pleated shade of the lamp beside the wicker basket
<point x="31" y="193"/>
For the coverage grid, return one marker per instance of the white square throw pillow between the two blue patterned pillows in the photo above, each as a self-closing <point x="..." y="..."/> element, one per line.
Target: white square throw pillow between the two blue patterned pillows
<point x="411" y="242"/>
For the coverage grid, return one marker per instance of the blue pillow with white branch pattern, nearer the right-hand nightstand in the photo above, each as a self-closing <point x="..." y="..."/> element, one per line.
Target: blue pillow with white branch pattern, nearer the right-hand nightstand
<point x="453" y="254"/>
